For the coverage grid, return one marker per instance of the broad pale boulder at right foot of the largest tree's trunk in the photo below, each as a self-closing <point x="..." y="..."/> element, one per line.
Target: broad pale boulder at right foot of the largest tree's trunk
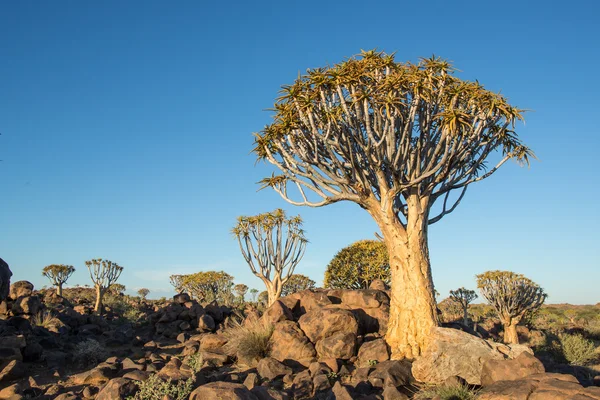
<point x="451" y="352"/>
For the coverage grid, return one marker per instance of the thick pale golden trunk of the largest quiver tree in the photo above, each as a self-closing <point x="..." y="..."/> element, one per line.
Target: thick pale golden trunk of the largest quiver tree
<point x="413" y="311"/>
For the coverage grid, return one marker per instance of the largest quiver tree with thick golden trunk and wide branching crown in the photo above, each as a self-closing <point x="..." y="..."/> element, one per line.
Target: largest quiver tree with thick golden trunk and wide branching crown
<point x="393" y="138"/>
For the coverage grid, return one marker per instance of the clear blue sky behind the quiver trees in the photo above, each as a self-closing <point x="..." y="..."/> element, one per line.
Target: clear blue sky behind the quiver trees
<point x="127" y="126"/>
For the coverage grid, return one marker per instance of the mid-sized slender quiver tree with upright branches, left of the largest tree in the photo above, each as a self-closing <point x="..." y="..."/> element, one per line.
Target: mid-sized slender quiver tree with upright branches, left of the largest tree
<point x="272" y="245"/>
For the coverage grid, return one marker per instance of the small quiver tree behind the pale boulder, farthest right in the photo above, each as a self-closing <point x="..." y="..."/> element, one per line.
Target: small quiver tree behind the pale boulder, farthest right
<point x="512" y="296"/>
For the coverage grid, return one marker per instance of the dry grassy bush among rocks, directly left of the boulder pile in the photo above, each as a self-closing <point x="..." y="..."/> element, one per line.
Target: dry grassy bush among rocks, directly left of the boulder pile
<point x="249" y="342"/>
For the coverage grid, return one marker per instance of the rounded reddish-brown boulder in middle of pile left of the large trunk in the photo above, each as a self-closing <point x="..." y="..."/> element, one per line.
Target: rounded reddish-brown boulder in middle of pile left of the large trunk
<point x="321" y="323"/>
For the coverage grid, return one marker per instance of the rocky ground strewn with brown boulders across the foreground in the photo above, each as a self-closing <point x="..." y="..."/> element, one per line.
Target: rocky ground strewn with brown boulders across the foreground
<point x="326" y="344"/>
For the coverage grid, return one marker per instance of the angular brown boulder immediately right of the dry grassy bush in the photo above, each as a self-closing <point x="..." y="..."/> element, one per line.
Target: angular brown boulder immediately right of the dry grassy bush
<point x="290" y="343"/>
